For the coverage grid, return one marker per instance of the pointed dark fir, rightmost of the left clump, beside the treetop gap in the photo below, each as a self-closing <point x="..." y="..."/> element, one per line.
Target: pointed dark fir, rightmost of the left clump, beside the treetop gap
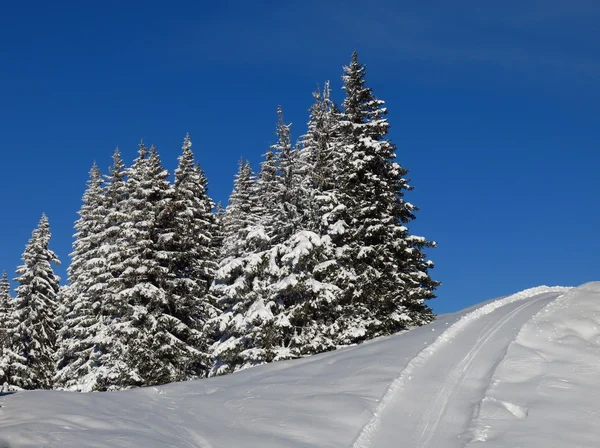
<point x="185" y="229"/>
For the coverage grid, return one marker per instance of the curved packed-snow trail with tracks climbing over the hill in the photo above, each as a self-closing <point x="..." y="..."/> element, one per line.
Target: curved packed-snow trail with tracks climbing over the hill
<point x="431" y="403"/>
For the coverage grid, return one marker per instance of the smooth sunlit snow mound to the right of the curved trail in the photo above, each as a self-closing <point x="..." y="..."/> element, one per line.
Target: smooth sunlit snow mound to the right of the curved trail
<point x="546" y="390"/>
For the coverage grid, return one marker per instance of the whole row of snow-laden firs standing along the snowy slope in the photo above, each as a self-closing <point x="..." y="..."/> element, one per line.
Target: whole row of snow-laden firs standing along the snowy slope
<point x="312" y="253"/>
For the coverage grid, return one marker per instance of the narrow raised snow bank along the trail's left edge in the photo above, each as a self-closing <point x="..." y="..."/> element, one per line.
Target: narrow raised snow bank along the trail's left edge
<point x="364" y="437"/>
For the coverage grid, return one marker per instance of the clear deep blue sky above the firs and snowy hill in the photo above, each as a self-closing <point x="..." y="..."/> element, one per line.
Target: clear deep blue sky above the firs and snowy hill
<point x="494" y="109"/>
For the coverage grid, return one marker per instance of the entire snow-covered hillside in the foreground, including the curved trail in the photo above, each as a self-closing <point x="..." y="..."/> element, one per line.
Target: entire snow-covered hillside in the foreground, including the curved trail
<point x="520" y="371"/>
